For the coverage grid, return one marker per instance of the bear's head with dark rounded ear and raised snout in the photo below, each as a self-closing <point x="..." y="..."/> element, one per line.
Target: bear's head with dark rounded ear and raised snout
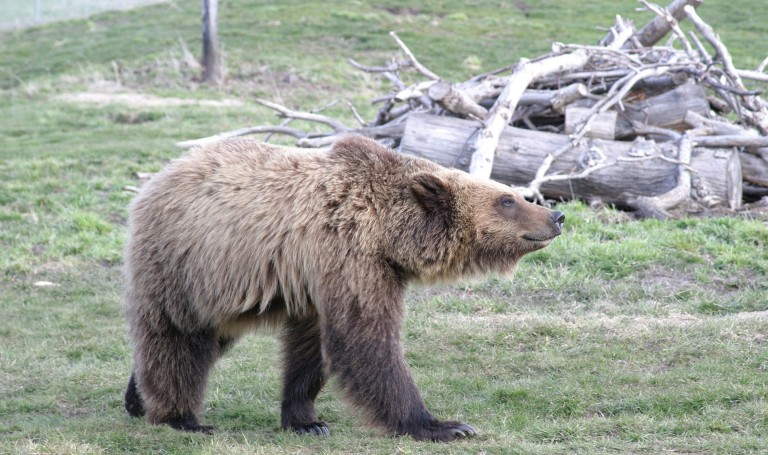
<point x="472" y="226"/>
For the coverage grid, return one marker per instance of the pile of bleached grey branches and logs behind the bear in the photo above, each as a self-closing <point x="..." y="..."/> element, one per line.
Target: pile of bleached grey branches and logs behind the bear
<point x="626" y="122"/>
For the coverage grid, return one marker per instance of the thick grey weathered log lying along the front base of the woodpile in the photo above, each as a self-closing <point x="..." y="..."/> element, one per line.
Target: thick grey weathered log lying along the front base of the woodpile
<point x="644" y="167"/>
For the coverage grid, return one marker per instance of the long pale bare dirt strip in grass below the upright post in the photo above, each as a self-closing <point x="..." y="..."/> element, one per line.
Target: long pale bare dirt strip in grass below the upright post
<point x="141" y="100"/>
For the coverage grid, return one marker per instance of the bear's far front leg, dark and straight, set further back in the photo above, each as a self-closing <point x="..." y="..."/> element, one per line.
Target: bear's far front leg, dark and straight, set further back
<point x="303" y="376"/>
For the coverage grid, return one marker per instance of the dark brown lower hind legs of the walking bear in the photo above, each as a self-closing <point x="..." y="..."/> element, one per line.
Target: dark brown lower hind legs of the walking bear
<point x="171" y="374"/>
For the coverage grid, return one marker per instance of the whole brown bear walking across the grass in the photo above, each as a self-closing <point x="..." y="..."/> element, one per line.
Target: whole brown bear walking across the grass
<point x="319" y="244"/>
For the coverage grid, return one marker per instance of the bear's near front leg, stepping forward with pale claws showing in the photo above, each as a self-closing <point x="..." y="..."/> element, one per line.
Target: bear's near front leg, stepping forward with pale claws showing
<point x="362" y="347"/>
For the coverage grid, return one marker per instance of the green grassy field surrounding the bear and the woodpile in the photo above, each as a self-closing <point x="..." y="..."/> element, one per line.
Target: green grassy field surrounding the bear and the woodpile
<point x="621" y="337"/>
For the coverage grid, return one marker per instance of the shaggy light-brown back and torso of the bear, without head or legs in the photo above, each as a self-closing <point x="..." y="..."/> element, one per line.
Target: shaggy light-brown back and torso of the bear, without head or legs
<point x="235" y="224"/>
